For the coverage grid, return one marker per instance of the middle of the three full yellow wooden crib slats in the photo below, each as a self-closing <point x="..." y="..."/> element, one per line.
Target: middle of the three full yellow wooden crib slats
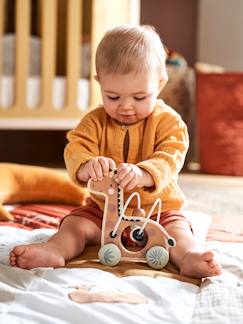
<point x="48" y="54"/>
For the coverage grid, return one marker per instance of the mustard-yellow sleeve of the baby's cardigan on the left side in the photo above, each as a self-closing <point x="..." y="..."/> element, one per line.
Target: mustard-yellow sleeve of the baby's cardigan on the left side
<point x="83" y="144"/>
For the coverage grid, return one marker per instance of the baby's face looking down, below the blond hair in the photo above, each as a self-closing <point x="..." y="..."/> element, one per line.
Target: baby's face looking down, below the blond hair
<point x="129" y="98"/>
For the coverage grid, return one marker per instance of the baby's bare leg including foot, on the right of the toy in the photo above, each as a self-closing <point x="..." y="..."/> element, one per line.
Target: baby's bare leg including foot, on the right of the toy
<point x="188" y="255"/>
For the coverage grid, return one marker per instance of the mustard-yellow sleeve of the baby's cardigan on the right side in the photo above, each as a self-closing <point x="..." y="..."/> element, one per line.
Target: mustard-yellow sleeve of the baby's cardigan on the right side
<point x="169" y="154"/>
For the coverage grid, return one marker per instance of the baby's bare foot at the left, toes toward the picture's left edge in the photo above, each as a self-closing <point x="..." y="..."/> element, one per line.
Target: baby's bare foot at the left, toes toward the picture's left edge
<point x="35" y="255"/>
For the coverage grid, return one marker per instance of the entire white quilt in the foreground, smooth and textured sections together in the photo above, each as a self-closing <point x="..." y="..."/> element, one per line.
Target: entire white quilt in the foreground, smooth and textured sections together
<point x="41" y="295"/>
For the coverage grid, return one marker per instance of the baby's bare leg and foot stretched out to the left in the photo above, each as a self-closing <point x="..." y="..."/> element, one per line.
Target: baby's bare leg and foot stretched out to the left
<point x="75" y="233"/>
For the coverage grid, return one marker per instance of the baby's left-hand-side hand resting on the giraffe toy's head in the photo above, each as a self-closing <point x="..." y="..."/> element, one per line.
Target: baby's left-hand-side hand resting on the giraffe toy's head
<point x="95" y="169"/>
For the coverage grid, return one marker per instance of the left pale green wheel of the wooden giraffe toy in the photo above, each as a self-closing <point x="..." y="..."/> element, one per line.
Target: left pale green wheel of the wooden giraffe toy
<point x="109" y="255"/>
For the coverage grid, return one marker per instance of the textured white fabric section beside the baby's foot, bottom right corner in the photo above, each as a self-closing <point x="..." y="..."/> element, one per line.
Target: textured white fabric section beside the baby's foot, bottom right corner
<point x="220" y="299"/>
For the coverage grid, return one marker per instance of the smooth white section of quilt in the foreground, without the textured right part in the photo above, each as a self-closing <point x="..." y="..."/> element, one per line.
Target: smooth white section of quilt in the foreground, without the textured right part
<point x="41" y="295"/>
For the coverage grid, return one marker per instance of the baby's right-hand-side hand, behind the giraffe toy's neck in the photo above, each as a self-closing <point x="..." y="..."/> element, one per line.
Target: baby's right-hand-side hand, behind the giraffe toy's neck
<point x="129" y="176"/>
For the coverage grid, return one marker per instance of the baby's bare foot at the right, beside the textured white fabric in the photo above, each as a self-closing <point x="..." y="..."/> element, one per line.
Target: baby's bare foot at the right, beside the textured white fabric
<point x="199" y="265"/>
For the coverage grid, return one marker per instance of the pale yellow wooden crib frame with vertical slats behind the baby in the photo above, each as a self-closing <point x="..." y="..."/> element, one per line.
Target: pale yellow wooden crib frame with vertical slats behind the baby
<point x="104" y="14"/>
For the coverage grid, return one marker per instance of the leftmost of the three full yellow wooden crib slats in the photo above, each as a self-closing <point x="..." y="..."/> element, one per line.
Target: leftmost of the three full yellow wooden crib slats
<point x="22" y="52"/>
